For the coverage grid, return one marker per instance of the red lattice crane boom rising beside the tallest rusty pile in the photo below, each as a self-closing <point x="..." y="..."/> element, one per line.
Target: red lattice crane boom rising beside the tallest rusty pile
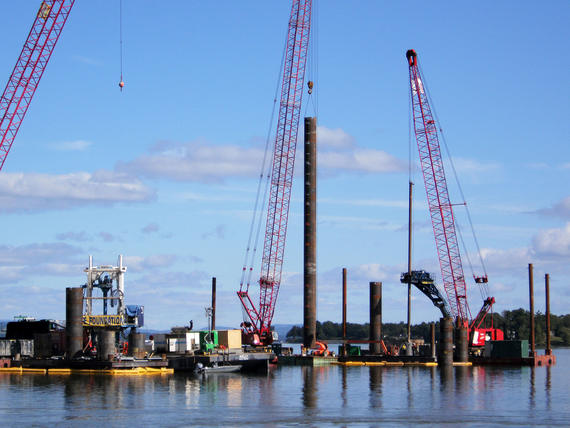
<point x="260" y="317"/>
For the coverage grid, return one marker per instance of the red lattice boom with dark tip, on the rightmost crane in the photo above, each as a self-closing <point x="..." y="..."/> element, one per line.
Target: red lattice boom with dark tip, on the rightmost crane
<point x="440" y="208"/>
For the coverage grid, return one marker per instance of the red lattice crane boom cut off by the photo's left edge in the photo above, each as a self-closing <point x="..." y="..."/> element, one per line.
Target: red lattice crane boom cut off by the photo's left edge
<point x="25" y="77"/>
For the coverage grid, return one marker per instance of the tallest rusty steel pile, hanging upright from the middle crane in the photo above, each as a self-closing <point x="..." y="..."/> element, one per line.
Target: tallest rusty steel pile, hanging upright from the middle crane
<point x="310" y="235"/>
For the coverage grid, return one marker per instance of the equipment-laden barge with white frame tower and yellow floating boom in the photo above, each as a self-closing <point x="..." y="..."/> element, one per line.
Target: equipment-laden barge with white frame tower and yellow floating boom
<point x="91" y="342"/>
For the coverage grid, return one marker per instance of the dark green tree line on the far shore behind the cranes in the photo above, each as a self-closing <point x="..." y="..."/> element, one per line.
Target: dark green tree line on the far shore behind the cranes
<point x="515" y="324"/>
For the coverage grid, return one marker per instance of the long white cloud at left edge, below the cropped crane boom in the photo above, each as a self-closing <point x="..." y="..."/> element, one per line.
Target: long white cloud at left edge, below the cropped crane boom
<point x="42" y="192"/>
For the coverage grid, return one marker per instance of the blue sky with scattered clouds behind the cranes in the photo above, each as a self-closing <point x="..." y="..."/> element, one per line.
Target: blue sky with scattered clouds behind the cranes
<point x="165" y="172"/>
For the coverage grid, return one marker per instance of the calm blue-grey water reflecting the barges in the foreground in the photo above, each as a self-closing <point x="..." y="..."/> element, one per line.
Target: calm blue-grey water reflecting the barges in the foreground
<point x="335" y="395"/>
